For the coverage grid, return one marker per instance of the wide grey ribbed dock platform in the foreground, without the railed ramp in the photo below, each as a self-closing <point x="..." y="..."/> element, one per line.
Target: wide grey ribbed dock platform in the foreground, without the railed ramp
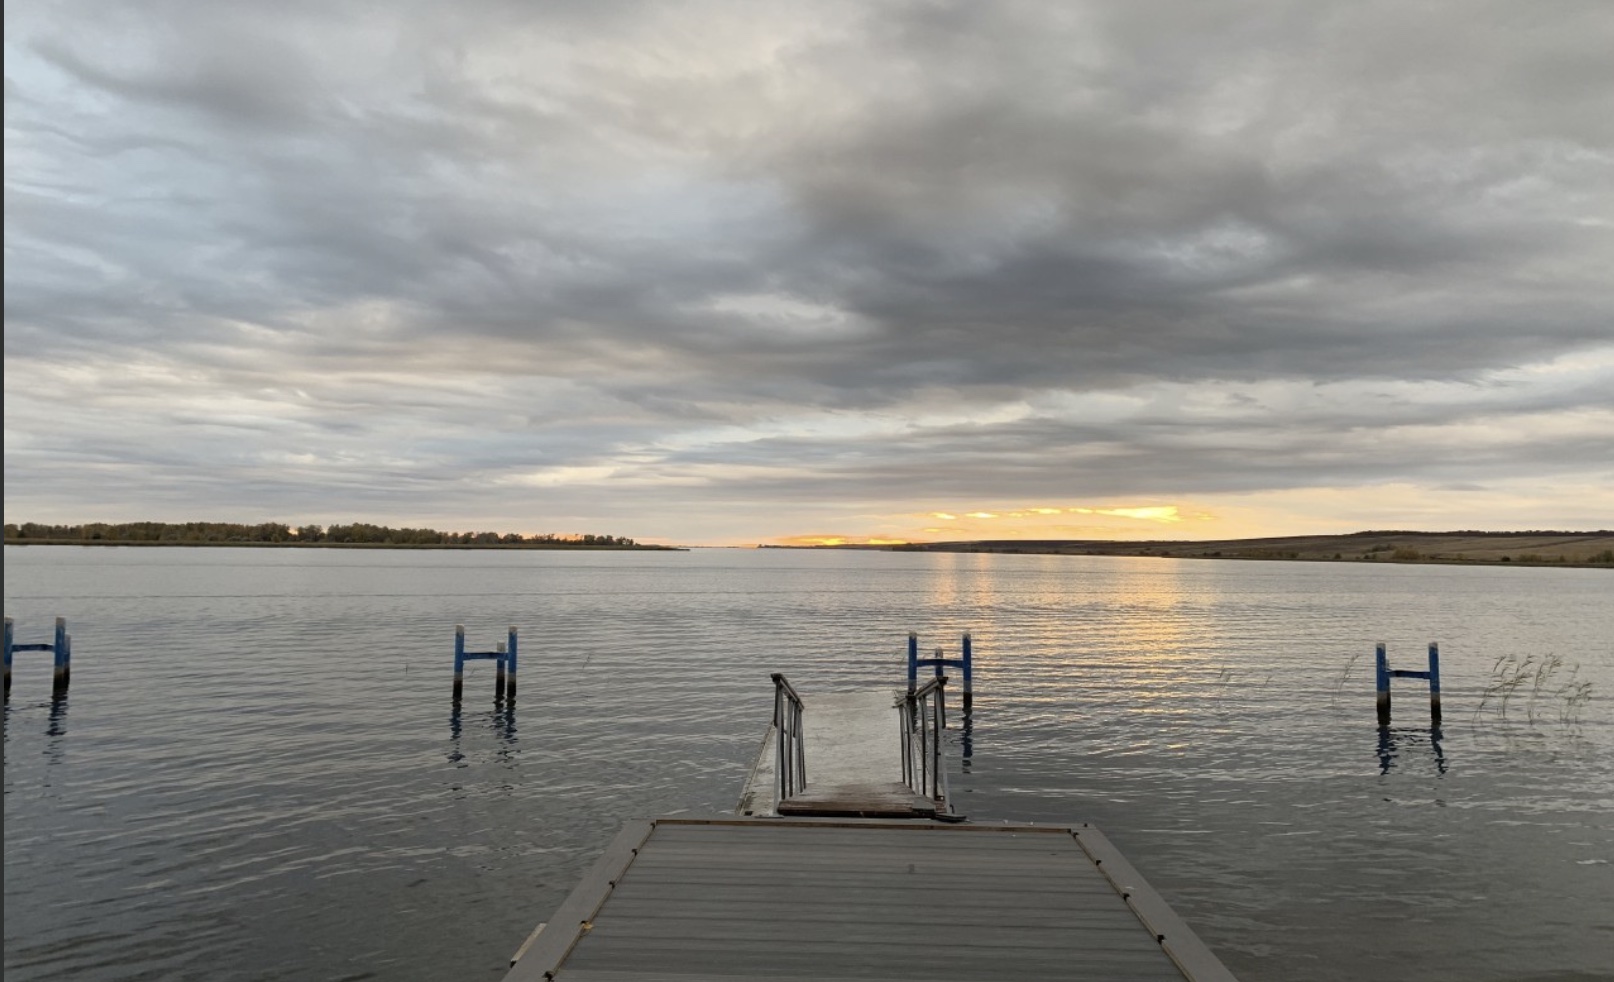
<point x="832" y="899"/>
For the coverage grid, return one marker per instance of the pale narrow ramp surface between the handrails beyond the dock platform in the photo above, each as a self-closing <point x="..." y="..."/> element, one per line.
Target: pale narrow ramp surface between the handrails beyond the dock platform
<point x="855" y="765"/>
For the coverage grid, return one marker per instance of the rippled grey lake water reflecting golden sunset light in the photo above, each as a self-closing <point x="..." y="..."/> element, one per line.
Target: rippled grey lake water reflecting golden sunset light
<point x="257" y="774"/>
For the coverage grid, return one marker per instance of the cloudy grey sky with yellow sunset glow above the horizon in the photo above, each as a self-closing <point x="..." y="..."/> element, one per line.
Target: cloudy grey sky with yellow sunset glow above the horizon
<point x="746" y="272"/>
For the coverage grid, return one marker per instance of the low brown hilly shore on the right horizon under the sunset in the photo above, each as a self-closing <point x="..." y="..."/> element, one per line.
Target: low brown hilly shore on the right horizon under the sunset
<point x="1460" y="548"/>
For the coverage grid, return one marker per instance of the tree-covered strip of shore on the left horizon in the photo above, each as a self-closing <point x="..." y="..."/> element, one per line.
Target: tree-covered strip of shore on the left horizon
<point x="359" y="535"/>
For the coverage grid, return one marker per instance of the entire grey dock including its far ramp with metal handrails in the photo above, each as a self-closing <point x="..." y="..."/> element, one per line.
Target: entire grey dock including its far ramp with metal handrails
<point x="853" y="867"/>
